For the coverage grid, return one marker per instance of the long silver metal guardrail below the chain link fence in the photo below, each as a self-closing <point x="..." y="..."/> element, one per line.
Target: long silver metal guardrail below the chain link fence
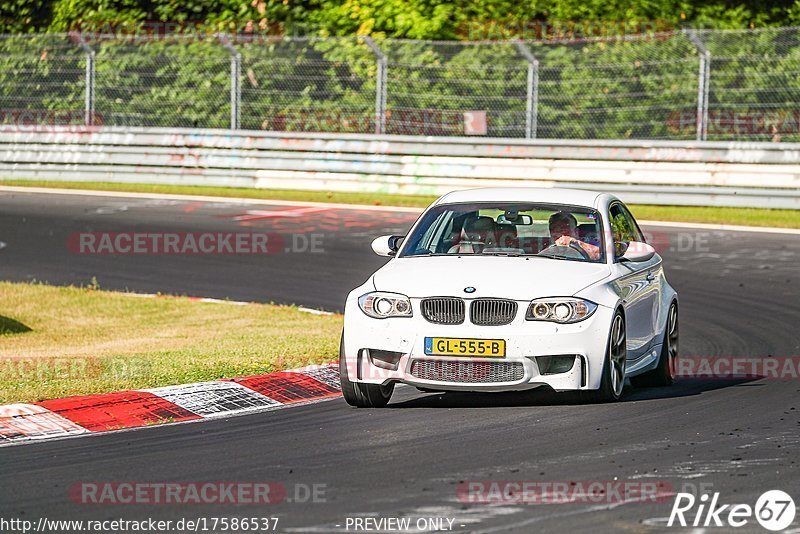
<point x="763" y="175"/>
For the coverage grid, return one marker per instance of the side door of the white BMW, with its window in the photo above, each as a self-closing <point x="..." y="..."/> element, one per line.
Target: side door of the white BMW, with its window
<point x="637" y="283"/>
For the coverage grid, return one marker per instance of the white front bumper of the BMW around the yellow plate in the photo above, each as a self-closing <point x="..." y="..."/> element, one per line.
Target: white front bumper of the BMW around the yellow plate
<point x="517" y="370"/>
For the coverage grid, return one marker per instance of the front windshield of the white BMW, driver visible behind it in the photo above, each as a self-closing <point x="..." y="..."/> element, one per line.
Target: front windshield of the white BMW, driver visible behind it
<point x="508" y="229"/>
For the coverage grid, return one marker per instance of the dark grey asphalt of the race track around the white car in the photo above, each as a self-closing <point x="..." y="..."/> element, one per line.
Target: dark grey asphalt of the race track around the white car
<point x="739" y="297"/>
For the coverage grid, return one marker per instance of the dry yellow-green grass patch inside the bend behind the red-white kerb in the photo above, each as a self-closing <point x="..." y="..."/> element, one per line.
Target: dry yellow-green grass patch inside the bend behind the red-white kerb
<point x="59" y="341"/>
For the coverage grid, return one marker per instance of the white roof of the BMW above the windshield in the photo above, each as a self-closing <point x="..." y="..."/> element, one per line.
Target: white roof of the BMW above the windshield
<point x="552" y="195"/>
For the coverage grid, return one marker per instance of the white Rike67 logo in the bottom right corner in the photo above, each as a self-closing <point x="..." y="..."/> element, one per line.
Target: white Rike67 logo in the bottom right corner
<point x="774" y="510"/>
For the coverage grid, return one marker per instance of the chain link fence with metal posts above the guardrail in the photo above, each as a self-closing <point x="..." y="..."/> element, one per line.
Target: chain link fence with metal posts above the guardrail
<point x="682" y="85"/>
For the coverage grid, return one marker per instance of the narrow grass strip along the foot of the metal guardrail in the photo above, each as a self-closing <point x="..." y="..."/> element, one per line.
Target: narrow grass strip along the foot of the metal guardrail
<point x="711" y="215"/>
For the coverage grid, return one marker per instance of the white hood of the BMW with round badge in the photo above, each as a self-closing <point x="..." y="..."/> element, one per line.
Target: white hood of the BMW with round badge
<point x="514" y="278"/>
